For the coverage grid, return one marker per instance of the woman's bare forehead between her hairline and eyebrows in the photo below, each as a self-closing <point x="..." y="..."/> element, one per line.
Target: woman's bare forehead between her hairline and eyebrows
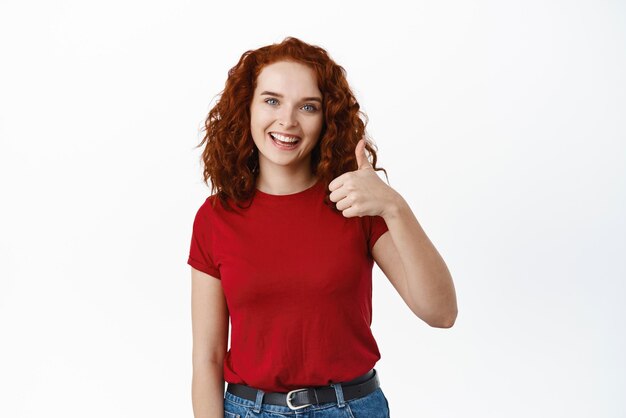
<point x="288" y="78"/>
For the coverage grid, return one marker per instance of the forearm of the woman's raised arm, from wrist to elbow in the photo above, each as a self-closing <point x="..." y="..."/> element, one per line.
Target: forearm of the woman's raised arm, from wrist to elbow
<point x="428" y="279"/>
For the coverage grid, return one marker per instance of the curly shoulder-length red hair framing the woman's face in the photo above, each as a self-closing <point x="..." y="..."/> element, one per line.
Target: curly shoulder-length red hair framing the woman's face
<point x="230" y="157"/>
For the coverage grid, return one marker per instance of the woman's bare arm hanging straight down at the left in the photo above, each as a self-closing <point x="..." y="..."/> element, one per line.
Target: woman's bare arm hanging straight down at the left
<point x="209" y="318"/>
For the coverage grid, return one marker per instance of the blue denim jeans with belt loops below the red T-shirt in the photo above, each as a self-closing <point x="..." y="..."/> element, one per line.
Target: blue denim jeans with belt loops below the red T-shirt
<point x="373" y="405"/>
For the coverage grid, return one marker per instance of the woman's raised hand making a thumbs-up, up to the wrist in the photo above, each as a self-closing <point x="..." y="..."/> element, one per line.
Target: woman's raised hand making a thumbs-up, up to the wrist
<point x="362" y="192"/>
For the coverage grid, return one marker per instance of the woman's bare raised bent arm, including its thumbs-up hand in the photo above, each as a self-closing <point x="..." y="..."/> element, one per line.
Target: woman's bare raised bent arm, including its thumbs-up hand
<point x="405" y="253"/>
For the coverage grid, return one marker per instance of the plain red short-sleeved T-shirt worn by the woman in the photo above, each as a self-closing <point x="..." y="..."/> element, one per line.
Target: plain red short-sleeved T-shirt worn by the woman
<point x="297" y="278"/>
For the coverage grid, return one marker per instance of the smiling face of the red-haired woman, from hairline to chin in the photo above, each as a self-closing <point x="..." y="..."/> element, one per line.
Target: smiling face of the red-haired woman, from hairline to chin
<point x="286" y="118"/>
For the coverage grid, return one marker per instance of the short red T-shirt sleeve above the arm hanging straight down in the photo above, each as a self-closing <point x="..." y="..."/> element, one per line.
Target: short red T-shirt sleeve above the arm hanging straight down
<point x="200" y="251"/>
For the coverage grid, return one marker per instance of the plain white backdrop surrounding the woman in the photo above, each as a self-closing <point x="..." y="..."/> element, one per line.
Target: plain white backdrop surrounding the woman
<point x="502" y="123"/>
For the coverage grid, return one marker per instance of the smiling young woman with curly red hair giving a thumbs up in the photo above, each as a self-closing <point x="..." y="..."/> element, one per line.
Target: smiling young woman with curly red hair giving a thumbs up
<point x="284" y="247"/>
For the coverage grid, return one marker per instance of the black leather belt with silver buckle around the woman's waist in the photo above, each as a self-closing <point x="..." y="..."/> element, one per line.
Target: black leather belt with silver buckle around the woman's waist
<point x="301" y="398"/>
